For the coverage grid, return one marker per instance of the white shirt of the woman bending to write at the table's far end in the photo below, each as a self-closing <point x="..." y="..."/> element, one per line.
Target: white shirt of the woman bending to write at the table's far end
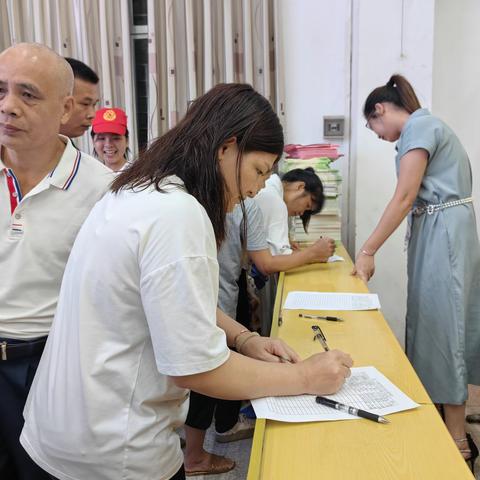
<point x="275" y="215"/>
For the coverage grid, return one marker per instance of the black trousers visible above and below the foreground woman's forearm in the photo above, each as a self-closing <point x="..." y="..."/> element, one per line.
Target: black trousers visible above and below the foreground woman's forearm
<point x="202" y="408"/>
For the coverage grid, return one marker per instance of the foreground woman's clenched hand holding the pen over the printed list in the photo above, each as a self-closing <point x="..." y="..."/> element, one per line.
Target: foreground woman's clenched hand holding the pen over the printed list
<point x="326" y="372"/>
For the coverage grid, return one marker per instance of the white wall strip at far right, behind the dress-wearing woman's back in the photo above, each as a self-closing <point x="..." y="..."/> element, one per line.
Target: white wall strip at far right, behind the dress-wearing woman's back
<point x="456" y="77"/>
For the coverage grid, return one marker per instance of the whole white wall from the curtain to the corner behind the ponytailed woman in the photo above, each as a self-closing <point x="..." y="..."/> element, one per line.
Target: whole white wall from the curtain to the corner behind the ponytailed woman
<point x="325" y="46"/>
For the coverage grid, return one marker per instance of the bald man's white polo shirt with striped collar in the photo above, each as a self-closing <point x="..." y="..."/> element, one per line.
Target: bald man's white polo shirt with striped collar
<point x="37" y="233"/>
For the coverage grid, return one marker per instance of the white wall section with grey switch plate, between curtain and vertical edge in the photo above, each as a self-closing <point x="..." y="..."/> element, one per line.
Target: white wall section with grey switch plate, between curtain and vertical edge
<point x="314" y="55"/>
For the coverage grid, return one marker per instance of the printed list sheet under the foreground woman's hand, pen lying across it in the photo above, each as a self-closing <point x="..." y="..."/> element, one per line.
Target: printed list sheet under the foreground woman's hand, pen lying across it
<point x="366" y="389"/>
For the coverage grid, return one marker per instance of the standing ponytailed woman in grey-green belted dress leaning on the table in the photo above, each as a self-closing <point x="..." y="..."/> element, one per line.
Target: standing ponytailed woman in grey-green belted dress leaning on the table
<point x="434" y="189"/>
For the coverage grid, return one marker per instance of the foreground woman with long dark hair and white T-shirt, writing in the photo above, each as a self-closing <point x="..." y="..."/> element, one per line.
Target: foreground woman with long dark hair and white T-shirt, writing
<point x="136" y="323"/>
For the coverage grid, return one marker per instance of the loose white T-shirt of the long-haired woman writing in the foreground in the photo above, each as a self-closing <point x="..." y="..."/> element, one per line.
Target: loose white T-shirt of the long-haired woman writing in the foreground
<point x="137" y="306"/>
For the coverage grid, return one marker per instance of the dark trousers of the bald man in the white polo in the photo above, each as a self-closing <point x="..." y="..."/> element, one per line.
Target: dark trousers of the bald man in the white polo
<point x="16" y="377"/>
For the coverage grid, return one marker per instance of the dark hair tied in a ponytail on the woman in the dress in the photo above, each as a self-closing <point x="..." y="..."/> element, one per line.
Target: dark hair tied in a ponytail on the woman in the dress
<point x="398" y="91"/>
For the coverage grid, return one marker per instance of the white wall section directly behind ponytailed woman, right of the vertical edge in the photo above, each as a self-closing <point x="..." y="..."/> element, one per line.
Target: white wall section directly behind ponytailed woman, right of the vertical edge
<point x="386" y="39"/>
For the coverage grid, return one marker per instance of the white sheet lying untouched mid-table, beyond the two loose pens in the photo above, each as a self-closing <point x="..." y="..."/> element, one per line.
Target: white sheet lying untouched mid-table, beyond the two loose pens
<point x="331" y="301"/>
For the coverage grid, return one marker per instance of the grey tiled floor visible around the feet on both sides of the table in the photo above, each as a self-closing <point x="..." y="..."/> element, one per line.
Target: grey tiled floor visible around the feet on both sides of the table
<point x="240" y="451"/>
